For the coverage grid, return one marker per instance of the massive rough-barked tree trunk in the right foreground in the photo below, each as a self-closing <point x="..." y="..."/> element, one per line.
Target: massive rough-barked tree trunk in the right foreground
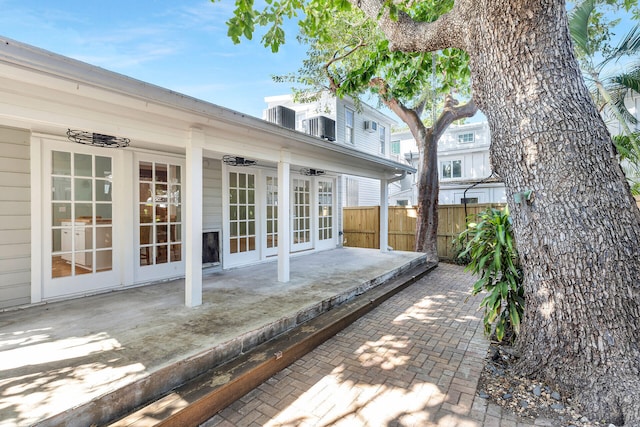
<point x="579" y="235"/>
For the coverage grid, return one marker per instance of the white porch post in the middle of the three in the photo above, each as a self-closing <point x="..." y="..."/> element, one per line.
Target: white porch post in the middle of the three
<point x="284" y="221"/>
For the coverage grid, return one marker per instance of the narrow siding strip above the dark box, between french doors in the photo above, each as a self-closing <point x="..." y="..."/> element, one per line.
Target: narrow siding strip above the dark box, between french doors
<point x="212" y="195"/>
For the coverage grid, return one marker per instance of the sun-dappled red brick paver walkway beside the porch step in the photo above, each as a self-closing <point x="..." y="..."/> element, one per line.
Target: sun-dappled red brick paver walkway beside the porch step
<point x="413" y="361"/>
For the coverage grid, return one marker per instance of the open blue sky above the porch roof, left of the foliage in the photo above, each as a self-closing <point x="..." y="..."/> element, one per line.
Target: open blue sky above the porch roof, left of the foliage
<point x="181" y="45"/>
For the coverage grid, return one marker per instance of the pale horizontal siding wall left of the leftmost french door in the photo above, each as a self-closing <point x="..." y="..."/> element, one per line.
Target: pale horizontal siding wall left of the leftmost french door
<point x="15" y="215"/>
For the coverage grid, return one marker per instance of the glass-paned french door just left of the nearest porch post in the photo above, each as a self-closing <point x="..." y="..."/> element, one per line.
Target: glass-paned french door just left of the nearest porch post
<point x="159" y="227"/>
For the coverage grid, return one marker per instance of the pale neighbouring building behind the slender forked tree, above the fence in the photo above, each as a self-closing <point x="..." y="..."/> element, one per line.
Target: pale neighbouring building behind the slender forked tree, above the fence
<point x="463" y="167"/>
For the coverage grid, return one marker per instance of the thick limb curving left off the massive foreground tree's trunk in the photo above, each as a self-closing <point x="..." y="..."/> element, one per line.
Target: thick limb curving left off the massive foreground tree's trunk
<point x="408" y="35"/>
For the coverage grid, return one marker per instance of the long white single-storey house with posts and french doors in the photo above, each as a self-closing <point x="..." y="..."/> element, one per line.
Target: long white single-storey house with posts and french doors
<point x="107" y="182"/>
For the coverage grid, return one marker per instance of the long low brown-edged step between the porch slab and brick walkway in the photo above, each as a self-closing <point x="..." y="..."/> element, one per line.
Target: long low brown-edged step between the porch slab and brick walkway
<point x="202" y="397"/>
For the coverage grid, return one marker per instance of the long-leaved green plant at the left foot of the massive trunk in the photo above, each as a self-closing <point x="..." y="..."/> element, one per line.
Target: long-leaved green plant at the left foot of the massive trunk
<point x="490" y="248"/>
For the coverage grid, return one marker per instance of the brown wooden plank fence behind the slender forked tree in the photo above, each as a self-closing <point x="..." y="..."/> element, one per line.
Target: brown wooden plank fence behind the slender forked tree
<point x="361" y="226"/>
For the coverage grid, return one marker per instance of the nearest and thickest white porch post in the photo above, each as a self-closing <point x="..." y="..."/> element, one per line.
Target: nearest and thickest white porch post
<point x="193" y="219"/>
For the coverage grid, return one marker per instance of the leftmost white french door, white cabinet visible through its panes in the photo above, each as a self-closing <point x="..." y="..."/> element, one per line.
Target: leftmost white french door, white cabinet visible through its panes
<point x="79" y="255"/>
